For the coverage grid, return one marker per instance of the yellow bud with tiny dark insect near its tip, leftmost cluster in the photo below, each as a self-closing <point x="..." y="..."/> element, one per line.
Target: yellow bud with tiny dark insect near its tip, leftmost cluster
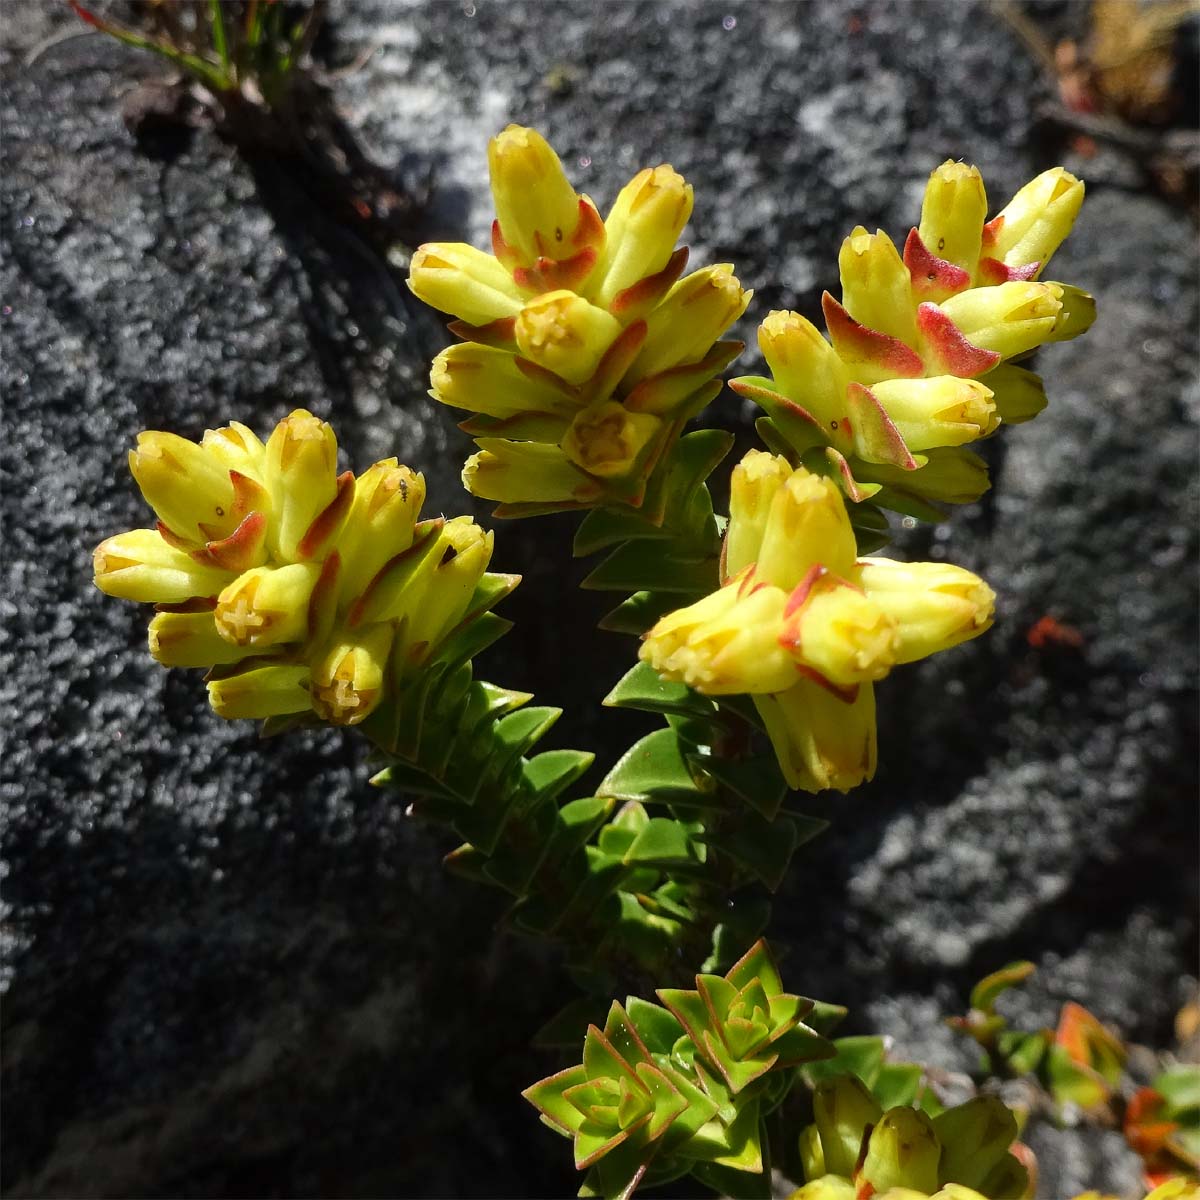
<point x="387" y="503"/>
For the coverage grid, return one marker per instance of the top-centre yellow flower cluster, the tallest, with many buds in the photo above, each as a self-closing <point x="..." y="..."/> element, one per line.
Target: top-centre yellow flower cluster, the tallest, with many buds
<point x="584" y="351"/>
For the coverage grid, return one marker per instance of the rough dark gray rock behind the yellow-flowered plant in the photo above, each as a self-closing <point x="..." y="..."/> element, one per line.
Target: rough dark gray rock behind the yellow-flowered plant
<point x="235" y="969"/>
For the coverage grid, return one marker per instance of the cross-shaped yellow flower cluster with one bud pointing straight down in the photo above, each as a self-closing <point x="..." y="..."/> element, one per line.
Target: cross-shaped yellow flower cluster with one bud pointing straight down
<point x="806" y="627"/>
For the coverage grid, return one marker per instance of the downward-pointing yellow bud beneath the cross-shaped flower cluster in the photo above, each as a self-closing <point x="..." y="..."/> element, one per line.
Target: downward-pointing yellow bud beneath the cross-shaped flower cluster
<point x="821" y="740"/>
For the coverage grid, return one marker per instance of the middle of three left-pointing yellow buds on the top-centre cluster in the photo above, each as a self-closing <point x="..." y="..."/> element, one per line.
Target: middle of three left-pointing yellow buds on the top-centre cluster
<point x="489" y="381"/>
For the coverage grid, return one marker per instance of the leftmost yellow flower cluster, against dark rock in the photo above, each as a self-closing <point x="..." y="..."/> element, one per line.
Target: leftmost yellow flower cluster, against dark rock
<point x="304" y="590"/>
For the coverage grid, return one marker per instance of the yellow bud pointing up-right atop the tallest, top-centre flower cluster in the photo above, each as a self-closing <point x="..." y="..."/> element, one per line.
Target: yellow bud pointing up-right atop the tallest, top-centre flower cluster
<point x="641" y="231"/>
